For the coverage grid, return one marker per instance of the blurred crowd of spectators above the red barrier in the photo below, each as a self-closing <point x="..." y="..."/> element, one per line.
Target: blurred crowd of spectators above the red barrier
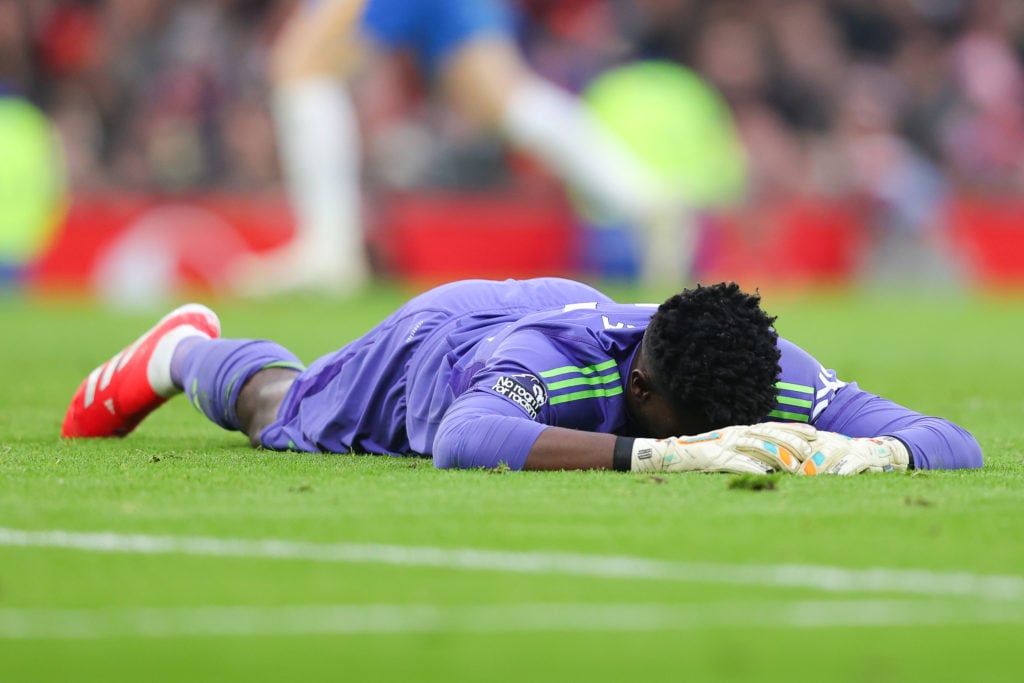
<point x="895" y="101"/>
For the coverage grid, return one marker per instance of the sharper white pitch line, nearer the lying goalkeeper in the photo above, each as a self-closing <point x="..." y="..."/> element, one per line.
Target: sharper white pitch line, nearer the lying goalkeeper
<point x="832" y="579"/>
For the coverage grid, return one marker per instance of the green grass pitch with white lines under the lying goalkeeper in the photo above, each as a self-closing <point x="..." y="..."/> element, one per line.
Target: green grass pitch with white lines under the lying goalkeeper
<point x="389" y="570"/>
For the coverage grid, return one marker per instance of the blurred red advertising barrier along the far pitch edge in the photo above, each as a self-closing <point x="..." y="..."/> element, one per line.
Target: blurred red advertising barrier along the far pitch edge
<point x="432" y="238"/>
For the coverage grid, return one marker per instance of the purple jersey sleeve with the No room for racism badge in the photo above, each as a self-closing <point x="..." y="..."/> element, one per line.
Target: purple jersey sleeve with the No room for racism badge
<point x="496" y="417"/>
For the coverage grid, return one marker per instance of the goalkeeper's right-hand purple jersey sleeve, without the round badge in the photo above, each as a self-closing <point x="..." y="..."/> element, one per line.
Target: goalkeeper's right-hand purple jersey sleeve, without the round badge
<point x="808" y="393"/>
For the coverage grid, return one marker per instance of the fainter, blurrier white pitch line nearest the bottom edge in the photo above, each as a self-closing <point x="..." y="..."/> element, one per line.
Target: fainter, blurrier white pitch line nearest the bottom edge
<point x="378" y="619"/>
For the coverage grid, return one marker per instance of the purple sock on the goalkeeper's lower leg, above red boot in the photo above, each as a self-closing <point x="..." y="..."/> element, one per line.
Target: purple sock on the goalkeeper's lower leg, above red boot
<point x="214" y="371"/>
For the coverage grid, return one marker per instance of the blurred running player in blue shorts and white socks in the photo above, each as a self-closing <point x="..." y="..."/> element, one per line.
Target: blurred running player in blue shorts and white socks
<point x="468" y="50"/>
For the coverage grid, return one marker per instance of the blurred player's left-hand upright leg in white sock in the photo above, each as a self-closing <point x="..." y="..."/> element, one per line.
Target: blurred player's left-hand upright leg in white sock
<point x="321" y="153"/>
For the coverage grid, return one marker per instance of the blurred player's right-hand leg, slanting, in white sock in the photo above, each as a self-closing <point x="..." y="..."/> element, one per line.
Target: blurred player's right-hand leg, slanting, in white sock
<point x="488" y="80"/>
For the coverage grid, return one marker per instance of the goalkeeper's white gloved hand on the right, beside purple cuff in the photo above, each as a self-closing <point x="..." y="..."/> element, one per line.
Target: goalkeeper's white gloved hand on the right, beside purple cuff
<point x="838" y="454"/>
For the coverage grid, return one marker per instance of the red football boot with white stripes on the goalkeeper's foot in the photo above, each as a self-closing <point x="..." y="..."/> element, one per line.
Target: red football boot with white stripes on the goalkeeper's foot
<point x="116" y="397"/>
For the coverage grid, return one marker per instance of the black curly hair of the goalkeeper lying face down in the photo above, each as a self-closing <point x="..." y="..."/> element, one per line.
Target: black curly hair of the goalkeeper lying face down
<point x="713" y="352"/>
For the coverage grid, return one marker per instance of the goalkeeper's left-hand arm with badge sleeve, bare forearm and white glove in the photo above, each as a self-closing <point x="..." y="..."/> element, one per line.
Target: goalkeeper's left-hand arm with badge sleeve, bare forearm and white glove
<point x="503" y="417"/>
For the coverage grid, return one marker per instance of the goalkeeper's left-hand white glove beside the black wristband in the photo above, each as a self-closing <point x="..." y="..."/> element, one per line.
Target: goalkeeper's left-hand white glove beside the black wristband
<point x="758" y="449"/>
